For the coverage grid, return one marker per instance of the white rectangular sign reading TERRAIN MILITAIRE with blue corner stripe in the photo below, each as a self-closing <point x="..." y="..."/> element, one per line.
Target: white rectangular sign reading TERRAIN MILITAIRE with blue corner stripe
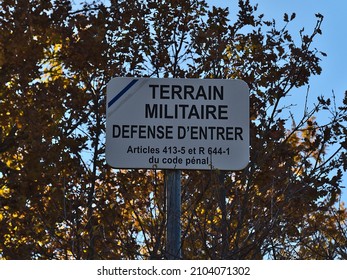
<point x="177" y="123"/>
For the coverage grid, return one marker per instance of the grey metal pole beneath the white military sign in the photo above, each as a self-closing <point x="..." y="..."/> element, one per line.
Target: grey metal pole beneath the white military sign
<point x="173" y="212"/>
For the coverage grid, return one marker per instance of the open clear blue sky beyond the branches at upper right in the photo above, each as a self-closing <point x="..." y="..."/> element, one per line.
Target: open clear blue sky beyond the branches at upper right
<point x="333" y="41"/>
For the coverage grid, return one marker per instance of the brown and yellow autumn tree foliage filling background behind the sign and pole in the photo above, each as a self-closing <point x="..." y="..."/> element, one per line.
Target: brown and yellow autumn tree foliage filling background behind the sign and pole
<point x="60" y="200"/>
